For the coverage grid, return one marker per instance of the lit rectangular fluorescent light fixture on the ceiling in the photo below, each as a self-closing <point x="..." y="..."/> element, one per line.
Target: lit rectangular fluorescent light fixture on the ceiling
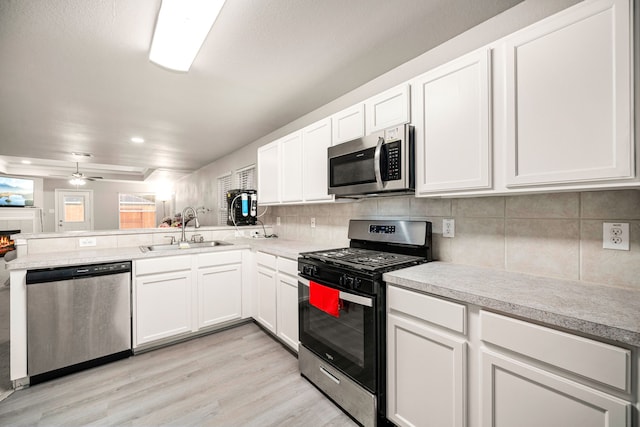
<point x="181" y="28"/>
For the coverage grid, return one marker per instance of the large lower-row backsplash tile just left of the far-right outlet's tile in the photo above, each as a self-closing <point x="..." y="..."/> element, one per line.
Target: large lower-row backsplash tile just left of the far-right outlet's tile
<point x="545" y="247"/>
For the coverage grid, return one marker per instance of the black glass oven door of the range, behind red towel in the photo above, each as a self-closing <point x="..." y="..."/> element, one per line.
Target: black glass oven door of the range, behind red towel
<point x="347" y="342"/>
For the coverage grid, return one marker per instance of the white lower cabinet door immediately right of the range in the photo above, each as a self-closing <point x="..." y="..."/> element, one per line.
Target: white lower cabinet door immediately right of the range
<point x="426" y="373"/>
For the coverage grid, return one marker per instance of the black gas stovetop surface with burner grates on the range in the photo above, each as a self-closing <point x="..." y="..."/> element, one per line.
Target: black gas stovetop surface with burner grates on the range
<point x="365" y="259"/>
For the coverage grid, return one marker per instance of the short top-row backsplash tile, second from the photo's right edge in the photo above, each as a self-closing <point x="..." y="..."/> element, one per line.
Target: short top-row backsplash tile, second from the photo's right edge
<point x="557" y="205"/>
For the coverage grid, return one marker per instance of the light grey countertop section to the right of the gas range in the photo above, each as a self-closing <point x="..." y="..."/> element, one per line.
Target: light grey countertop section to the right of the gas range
<point x="601" y="311"/>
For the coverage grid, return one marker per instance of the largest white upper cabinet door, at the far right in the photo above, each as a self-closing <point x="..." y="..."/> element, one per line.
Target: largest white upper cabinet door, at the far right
<point x="569" y="97"/>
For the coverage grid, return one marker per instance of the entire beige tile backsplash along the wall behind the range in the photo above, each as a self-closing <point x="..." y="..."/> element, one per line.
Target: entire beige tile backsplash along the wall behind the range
<point x="539" y="234"/>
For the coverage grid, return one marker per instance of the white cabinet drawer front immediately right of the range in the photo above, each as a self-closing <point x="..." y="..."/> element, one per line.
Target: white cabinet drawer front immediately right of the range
<point x="443" y="313"/>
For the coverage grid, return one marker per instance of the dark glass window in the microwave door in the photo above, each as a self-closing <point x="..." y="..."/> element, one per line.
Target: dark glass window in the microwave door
<point x="351" y="169"/>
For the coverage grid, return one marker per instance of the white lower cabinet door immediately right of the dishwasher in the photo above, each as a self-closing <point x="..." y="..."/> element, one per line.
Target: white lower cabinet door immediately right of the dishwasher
<point x="163" y="305"/>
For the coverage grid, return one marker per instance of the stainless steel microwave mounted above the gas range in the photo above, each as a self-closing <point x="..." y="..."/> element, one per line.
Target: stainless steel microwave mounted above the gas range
<point x="381" y="163"/>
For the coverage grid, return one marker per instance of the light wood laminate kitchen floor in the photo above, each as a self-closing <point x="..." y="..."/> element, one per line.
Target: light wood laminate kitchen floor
<point x="237" y="377"/>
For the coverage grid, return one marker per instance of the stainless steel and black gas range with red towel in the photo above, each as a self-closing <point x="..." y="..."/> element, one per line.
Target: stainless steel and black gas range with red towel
<point x="342" y="312"/>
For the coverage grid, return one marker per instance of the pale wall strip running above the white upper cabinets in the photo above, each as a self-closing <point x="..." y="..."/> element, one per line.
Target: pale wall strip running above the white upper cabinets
<point x="200" y="188"/>
